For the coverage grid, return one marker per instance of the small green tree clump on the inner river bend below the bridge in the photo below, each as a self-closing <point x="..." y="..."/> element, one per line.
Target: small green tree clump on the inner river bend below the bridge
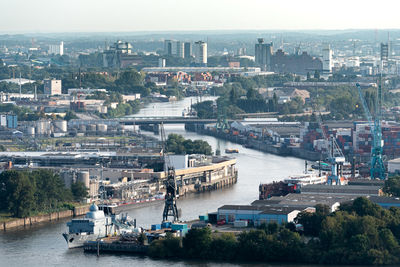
<point x="179" y="145"/>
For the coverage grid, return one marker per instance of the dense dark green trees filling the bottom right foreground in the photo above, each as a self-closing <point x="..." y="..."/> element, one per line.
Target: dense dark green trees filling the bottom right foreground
<point x="359" y="233"/>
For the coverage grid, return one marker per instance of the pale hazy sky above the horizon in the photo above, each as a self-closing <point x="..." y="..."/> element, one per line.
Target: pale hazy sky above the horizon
<point x="175" y="15"/>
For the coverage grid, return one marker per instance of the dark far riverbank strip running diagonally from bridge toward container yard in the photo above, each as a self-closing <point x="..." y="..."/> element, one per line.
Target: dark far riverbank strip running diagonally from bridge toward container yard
<point x="278" y="149"/>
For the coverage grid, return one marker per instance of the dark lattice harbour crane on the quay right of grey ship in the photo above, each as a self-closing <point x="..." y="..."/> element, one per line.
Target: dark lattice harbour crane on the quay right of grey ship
<point x="170" y="209"/>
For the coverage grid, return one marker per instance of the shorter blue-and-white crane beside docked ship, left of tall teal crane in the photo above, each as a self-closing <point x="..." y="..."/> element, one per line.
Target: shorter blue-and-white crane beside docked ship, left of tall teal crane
<point x="335" y="155"/>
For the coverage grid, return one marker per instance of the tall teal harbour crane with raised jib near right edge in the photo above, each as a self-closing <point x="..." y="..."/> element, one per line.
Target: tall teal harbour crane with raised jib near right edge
<point x="377" y="170"/>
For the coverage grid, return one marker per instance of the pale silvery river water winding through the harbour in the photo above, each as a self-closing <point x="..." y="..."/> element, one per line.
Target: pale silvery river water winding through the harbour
<point x="43" y="245"/>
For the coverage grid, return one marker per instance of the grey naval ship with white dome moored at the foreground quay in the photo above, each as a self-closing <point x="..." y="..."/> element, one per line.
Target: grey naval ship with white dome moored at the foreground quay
<point x="101" y="221"/>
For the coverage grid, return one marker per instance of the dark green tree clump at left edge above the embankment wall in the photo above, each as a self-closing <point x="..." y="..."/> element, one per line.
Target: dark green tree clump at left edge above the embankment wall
<point x="24" y="193"/>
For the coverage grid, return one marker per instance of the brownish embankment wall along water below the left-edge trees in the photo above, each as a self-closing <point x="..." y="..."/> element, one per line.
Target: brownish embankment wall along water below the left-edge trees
<point x="54" y="216"/>
